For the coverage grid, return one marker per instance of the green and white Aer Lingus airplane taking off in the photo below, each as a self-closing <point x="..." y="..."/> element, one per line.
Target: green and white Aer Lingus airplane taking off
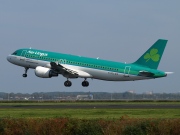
<point x="51" y="64"/>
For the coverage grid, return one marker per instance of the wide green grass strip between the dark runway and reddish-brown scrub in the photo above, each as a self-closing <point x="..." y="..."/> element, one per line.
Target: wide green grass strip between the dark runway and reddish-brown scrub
<point x="90" y="113"/>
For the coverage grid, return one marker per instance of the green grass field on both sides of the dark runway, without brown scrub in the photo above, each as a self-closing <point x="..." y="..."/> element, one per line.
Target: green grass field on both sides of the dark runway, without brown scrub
<point x="87" y="113"/>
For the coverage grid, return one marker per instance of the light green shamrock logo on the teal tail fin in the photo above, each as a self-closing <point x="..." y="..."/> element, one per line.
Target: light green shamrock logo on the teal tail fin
<point x="153" y="55"/>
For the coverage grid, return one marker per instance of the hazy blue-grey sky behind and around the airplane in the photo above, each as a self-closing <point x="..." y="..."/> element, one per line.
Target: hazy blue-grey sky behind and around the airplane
<point x="113" y="30"/>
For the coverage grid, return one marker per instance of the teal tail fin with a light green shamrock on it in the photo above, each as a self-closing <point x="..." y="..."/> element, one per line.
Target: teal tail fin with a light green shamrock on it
<point x="152" y="56"/>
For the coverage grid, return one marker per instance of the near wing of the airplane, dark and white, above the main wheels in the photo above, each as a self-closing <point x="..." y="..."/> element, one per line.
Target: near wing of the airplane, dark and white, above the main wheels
<point x="69" y="72"/>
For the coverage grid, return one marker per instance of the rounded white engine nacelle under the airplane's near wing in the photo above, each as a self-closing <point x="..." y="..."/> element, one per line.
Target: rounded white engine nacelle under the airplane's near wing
<point x="44" y="72"/>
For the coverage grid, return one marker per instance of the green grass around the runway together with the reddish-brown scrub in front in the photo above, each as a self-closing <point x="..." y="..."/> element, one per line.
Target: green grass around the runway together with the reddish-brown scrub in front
<point x="90" y="121"/>
